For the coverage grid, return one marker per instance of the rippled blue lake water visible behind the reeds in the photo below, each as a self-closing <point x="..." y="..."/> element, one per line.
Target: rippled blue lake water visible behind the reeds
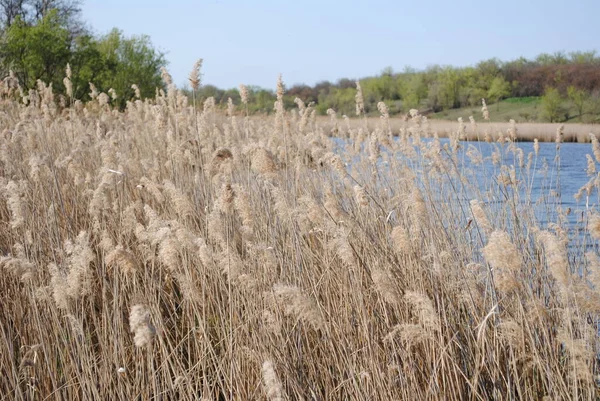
<point x="545" y="189"/>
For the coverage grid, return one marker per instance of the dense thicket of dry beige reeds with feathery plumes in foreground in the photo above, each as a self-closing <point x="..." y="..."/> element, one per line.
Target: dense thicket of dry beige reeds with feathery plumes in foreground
<point x="168" y="253"/>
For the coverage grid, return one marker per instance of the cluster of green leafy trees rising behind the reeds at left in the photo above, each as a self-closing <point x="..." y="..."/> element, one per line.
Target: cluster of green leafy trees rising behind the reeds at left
<point x="43" y="37"/>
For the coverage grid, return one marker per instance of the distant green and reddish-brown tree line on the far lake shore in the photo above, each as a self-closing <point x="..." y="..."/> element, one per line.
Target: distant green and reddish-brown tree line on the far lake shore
<point x="555" y="78"/>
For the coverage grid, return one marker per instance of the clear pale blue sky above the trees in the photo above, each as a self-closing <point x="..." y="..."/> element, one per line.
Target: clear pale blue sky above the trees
<point x="251" y="42"/>
